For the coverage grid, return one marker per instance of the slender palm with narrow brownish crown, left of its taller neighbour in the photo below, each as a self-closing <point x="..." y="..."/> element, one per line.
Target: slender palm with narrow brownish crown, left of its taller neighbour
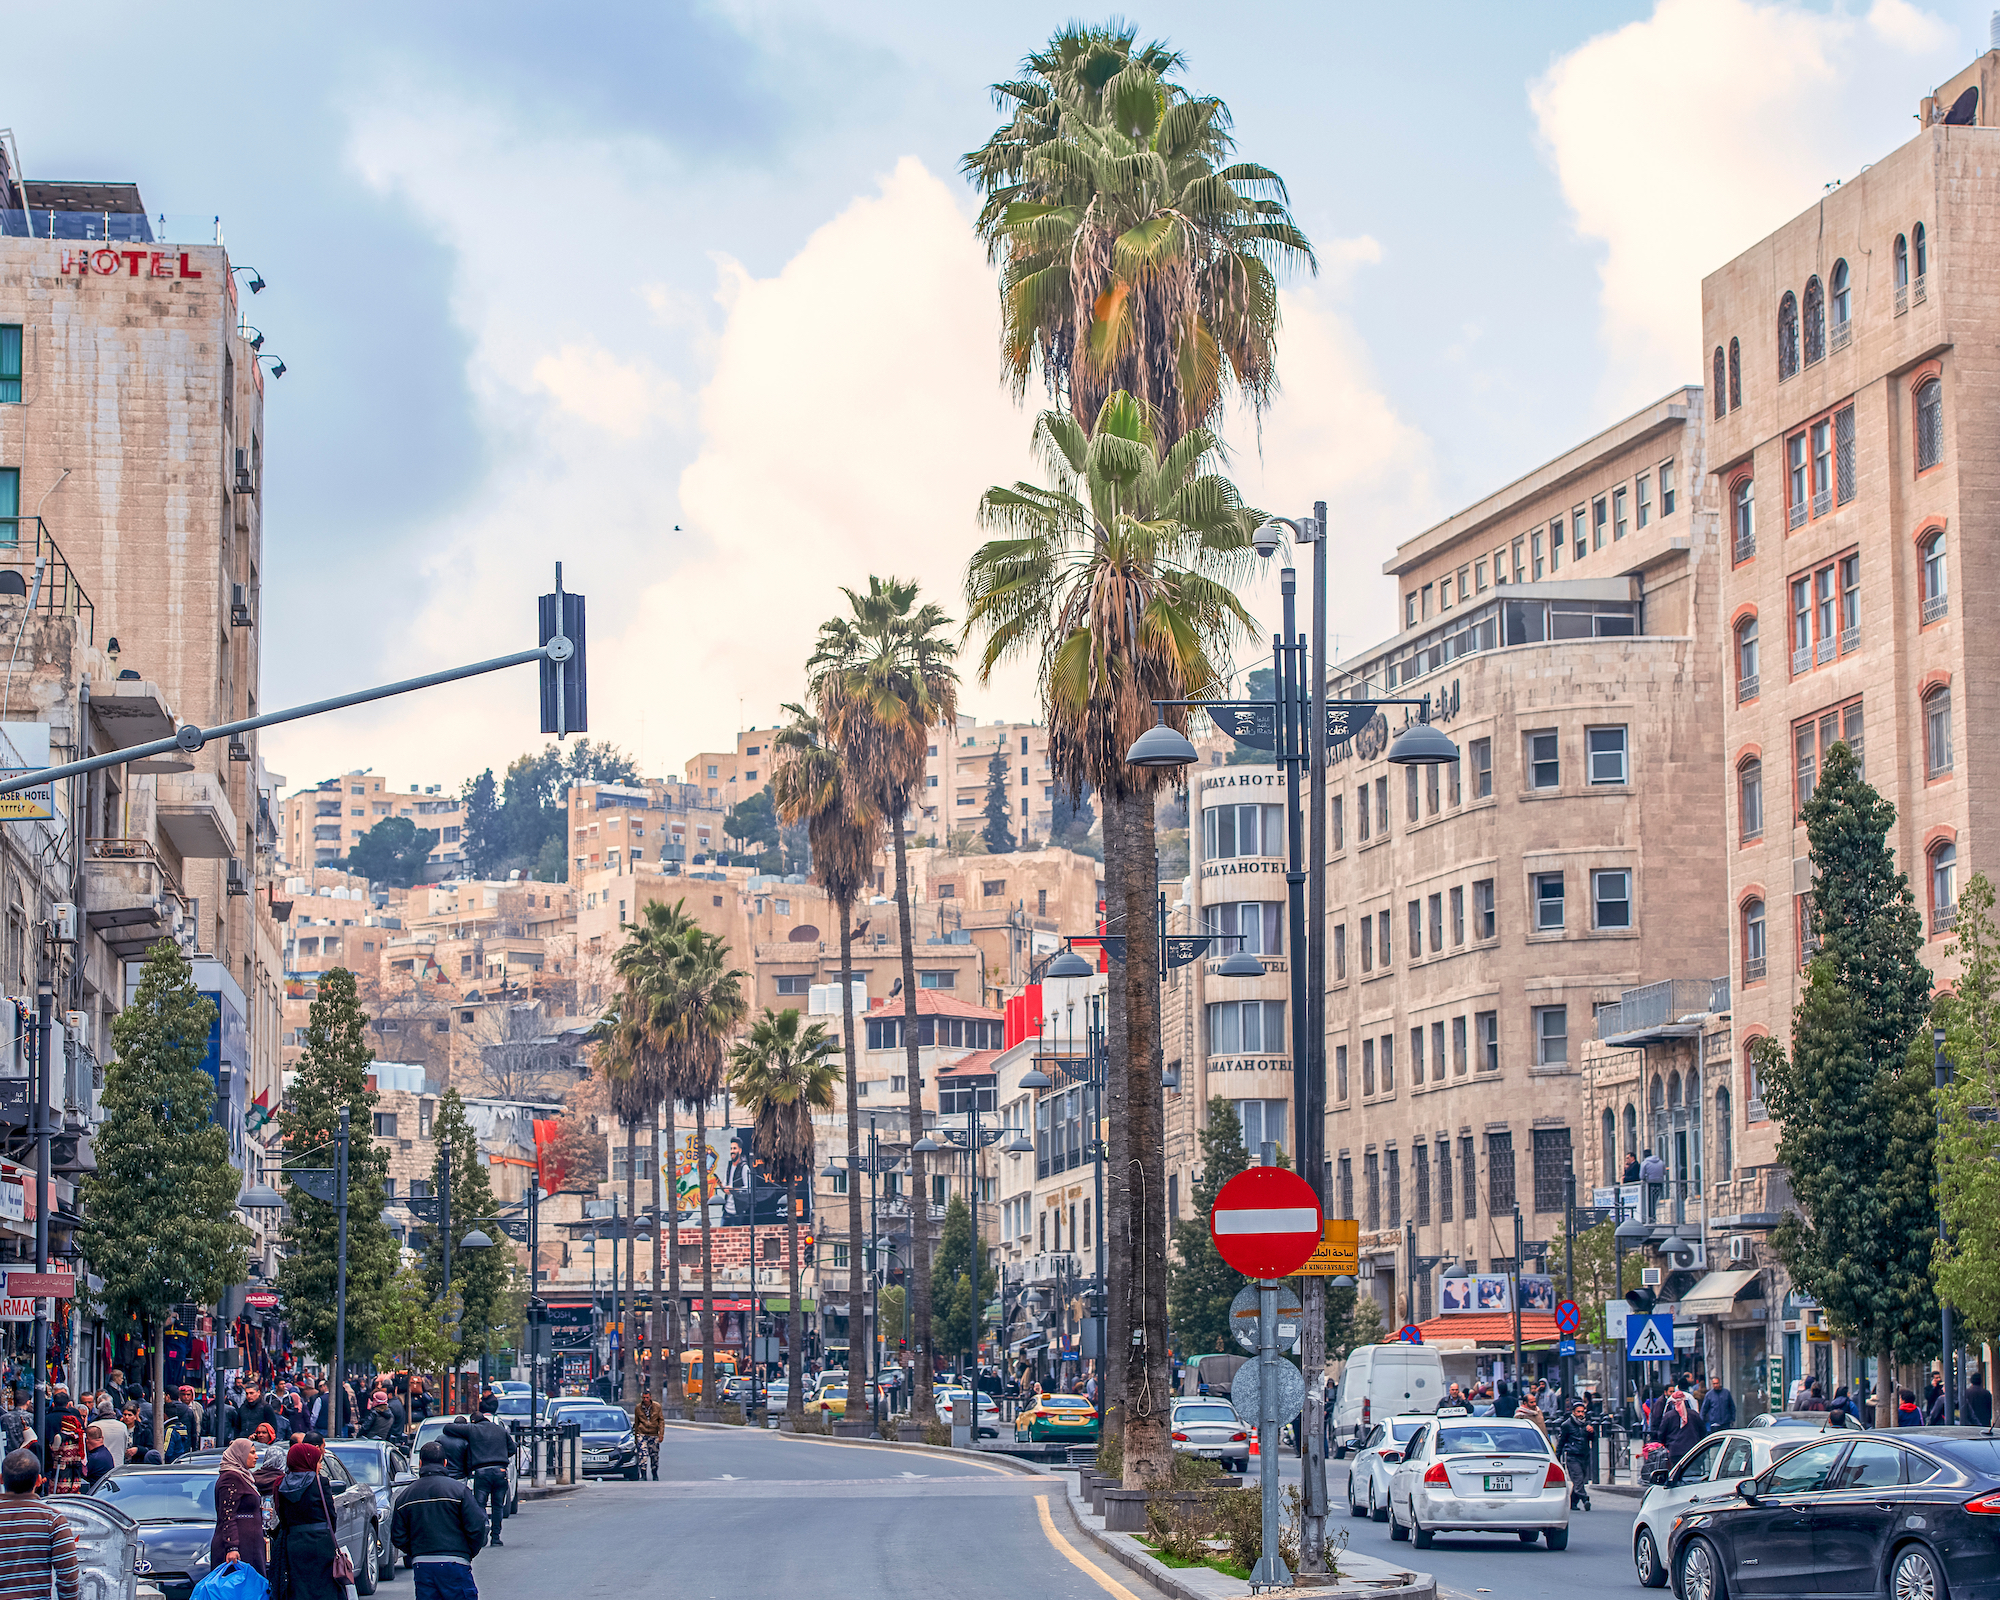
<point x="811" y="785"/>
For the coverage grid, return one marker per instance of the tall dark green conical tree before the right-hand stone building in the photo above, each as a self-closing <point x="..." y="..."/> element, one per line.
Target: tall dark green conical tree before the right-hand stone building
<point x="1853" y="1095"/>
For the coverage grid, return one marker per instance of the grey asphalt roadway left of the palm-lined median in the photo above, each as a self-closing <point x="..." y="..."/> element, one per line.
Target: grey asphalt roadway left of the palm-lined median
<point x="743" y="1515"/>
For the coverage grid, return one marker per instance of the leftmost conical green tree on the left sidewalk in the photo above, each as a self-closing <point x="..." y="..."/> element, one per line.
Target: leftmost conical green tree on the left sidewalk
<point x="161" y="1223"/>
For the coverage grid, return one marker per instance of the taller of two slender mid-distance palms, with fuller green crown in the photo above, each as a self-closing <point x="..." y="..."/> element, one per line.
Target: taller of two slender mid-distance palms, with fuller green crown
<point x="883" y="681"/>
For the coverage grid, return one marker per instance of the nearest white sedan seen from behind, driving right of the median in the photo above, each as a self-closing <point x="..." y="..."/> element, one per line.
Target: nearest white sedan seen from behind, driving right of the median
<point x="1479" y="1475"/>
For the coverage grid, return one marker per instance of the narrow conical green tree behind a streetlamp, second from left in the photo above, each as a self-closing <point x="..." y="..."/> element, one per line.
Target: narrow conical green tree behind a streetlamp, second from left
<point x="333" y="1073"/>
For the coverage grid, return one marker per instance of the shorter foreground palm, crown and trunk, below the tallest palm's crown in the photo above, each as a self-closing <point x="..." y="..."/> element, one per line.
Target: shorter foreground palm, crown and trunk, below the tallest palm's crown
<point x="1117" y="581"/>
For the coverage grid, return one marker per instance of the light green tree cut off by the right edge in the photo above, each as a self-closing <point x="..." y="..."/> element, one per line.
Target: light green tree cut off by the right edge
<point x="1969" y="1177"/>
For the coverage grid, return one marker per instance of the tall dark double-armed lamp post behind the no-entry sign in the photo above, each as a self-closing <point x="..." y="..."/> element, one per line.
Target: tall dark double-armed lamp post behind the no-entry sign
<point x="1299" y="729"/>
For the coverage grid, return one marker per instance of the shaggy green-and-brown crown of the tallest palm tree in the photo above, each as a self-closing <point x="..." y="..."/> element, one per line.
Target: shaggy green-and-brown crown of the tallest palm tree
<point x="1135" y="255"/>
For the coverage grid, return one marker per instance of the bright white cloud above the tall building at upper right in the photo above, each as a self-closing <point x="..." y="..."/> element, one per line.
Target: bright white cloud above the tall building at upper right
<point x="1685" y="137"/>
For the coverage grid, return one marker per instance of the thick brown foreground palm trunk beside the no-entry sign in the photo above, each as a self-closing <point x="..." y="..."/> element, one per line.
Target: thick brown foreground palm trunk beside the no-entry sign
<point x="1147" y="1375"/>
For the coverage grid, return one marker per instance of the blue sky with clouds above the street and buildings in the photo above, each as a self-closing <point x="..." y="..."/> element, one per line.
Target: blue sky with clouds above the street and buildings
<point x="687" y="297"/>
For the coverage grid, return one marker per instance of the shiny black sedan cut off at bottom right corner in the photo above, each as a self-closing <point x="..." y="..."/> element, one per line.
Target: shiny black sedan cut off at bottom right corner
<point x="1911" y="1513"/>
